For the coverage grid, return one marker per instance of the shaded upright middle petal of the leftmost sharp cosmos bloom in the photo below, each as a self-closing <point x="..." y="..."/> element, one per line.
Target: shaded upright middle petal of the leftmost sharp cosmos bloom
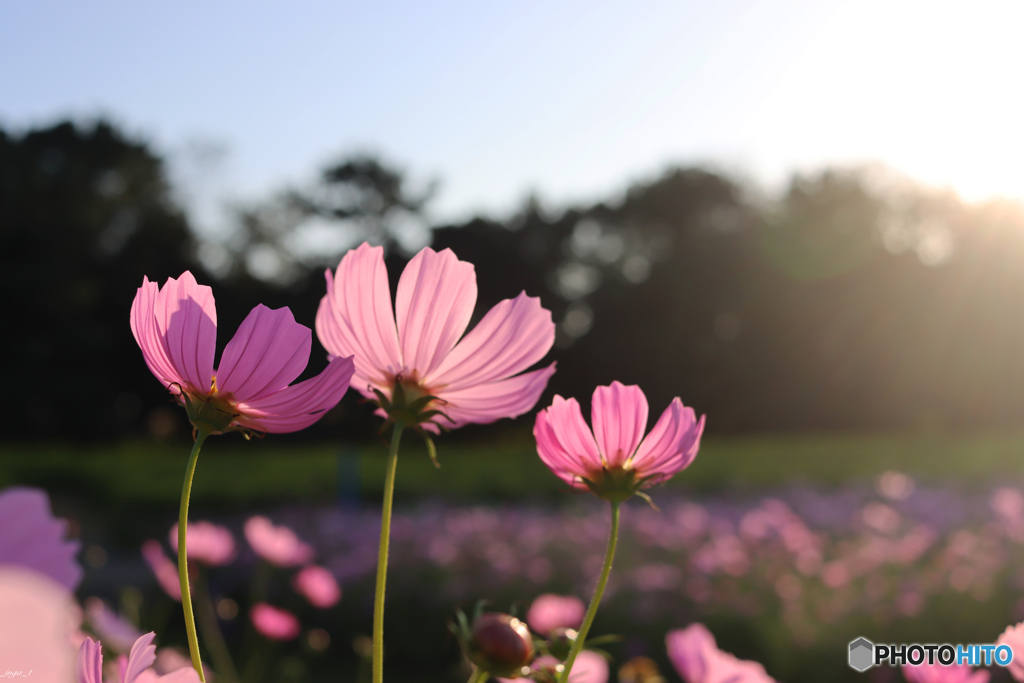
<point x="268" y="353"/>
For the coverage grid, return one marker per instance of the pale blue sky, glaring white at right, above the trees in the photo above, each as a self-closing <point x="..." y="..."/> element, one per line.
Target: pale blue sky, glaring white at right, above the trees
<point x="566" y="100"/>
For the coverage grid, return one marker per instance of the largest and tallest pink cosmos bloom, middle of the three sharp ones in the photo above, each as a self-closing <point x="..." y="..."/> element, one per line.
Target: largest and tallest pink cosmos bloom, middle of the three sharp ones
<point x="418" y="344"/>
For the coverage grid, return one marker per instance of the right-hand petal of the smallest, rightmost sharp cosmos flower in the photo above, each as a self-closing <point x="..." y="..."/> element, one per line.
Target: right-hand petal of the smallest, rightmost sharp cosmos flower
<point x="672" y="445"/>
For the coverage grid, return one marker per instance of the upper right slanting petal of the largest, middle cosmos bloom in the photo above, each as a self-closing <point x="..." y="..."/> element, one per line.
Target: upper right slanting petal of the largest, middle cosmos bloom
<point x="515" y="335"/>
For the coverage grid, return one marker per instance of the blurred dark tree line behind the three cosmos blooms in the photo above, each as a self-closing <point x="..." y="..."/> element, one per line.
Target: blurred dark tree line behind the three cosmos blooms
<point x="850" y="302"/>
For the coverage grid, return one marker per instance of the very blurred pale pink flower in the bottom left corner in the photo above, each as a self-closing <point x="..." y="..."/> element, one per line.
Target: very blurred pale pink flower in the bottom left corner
<point x="39" y="619"/>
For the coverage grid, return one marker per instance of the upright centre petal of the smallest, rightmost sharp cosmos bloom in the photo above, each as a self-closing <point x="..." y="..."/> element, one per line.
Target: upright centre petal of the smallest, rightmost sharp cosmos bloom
<point x="619" y="414"/>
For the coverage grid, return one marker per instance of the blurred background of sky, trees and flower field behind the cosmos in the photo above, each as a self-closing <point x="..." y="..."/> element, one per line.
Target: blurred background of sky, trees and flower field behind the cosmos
<point x="806" y="220"/>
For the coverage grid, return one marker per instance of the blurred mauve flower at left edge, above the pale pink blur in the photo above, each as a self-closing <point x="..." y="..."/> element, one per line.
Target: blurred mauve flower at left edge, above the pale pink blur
<point x="31" y="537"/>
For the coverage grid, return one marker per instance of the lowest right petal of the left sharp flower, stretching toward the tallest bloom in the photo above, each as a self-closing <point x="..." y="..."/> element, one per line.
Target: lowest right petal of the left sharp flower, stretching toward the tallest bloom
<point x="302" y="405"/>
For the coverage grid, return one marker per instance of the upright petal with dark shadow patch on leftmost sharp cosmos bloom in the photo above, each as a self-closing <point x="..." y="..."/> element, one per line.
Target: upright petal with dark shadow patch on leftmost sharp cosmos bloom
<point x="187" y="319"/>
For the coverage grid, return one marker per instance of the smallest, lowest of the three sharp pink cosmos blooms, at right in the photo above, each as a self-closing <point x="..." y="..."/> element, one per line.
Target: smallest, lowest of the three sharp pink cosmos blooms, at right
<point x="616" y="460"/>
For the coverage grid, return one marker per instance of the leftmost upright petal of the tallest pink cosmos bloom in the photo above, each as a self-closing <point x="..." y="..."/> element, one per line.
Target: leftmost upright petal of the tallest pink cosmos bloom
<point x="356" y="319"/>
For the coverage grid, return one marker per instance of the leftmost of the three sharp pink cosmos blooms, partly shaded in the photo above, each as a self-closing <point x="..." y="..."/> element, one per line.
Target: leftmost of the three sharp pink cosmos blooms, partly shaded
<point x="177" y="328"/>
